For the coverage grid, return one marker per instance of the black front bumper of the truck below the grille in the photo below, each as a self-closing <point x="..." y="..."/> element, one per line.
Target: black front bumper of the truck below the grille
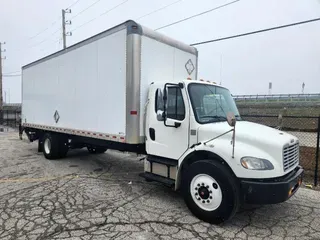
<point x="270" y="191"/>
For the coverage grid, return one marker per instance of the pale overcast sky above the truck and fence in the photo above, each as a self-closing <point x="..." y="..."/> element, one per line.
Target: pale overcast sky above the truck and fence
<point x="286" y="57"/>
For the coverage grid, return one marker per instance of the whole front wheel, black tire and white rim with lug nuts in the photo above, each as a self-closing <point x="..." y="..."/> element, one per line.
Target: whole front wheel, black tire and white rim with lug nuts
<point x="210" y="191"/>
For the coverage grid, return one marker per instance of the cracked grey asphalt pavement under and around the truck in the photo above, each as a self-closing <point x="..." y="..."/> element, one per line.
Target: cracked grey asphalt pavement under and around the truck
<point x="102" y="197"/>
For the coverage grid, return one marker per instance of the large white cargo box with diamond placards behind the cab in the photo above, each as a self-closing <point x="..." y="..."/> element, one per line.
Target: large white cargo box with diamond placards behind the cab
<point x="98" y="87"/>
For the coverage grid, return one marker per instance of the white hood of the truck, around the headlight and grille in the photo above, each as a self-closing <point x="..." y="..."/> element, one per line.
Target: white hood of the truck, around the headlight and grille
<point x="251" y="139"/>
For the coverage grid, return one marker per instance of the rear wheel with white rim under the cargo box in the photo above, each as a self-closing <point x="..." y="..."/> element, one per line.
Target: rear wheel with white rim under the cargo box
<point x="54" y="146"/>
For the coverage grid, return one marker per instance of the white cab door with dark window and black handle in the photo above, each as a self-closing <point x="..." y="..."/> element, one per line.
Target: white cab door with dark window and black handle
<point x="167" y="136"/>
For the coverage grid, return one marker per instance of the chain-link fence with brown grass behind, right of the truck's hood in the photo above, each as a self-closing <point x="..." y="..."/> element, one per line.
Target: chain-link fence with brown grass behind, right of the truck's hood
<point x="306" y="129"/>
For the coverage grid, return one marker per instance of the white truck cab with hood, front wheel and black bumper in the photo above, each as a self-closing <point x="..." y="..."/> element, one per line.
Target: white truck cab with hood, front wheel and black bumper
<point x="197" y="142"/>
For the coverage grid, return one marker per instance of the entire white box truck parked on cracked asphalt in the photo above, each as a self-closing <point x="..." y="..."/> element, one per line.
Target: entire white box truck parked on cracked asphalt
<point x="132" y="89"/>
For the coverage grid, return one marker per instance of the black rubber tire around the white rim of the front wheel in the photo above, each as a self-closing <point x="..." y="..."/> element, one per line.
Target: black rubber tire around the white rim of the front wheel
<point x="228" y="186"/>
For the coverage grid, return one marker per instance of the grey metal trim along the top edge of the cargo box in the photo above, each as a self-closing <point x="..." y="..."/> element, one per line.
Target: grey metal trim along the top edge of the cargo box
<point x="132" y="28"/>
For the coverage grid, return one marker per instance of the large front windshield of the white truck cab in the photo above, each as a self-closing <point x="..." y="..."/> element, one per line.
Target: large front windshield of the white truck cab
<point x="211" y="103"/>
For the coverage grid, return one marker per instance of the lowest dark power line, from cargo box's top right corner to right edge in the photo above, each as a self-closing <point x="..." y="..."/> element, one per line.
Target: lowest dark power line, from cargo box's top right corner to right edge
<point x="258" y="31"/>
